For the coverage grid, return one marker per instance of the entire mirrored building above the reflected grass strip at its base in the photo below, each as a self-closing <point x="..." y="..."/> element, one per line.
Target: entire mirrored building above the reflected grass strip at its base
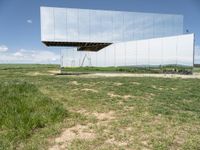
<point x="113" y="38"/>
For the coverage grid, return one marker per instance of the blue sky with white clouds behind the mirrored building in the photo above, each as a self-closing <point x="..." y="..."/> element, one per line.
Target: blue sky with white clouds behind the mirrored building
<point x="20" y="23"/>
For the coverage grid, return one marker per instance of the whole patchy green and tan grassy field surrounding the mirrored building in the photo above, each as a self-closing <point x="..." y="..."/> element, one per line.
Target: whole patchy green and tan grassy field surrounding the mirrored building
<point x="41" y="110"/>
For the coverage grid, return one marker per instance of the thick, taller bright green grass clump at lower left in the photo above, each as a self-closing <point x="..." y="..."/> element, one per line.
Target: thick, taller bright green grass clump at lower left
<point x="24" y="110"/>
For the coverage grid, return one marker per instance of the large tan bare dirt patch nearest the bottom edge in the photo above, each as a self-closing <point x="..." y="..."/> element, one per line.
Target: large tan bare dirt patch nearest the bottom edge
<point x="70" y="134"/>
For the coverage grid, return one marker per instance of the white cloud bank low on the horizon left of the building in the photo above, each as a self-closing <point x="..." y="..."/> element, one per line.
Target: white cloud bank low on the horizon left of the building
<point x="30" y="56"/>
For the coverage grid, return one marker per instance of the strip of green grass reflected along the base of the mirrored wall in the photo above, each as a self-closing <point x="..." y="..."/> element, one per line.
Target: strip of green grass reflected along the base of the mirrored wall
<point x="158" y="69"/>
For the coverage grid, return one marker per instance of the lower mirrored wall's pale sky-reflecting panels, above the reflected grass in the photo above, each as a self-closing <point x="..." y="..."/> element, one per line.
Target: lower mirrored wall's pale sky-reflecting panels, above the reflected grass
<point x="176" y="50"/>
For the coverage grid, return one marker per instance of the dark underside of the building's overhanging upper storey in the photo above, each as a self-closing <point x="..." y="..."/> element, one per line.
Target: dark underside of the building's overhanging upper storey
<point x="81" y="46"/>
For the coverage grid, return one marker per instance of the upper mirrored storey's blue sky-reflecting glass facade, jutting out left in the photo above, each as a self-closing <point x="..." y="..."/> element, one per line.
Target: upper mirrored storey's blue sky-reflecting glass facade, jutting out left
<point x="100" y="26"/>
